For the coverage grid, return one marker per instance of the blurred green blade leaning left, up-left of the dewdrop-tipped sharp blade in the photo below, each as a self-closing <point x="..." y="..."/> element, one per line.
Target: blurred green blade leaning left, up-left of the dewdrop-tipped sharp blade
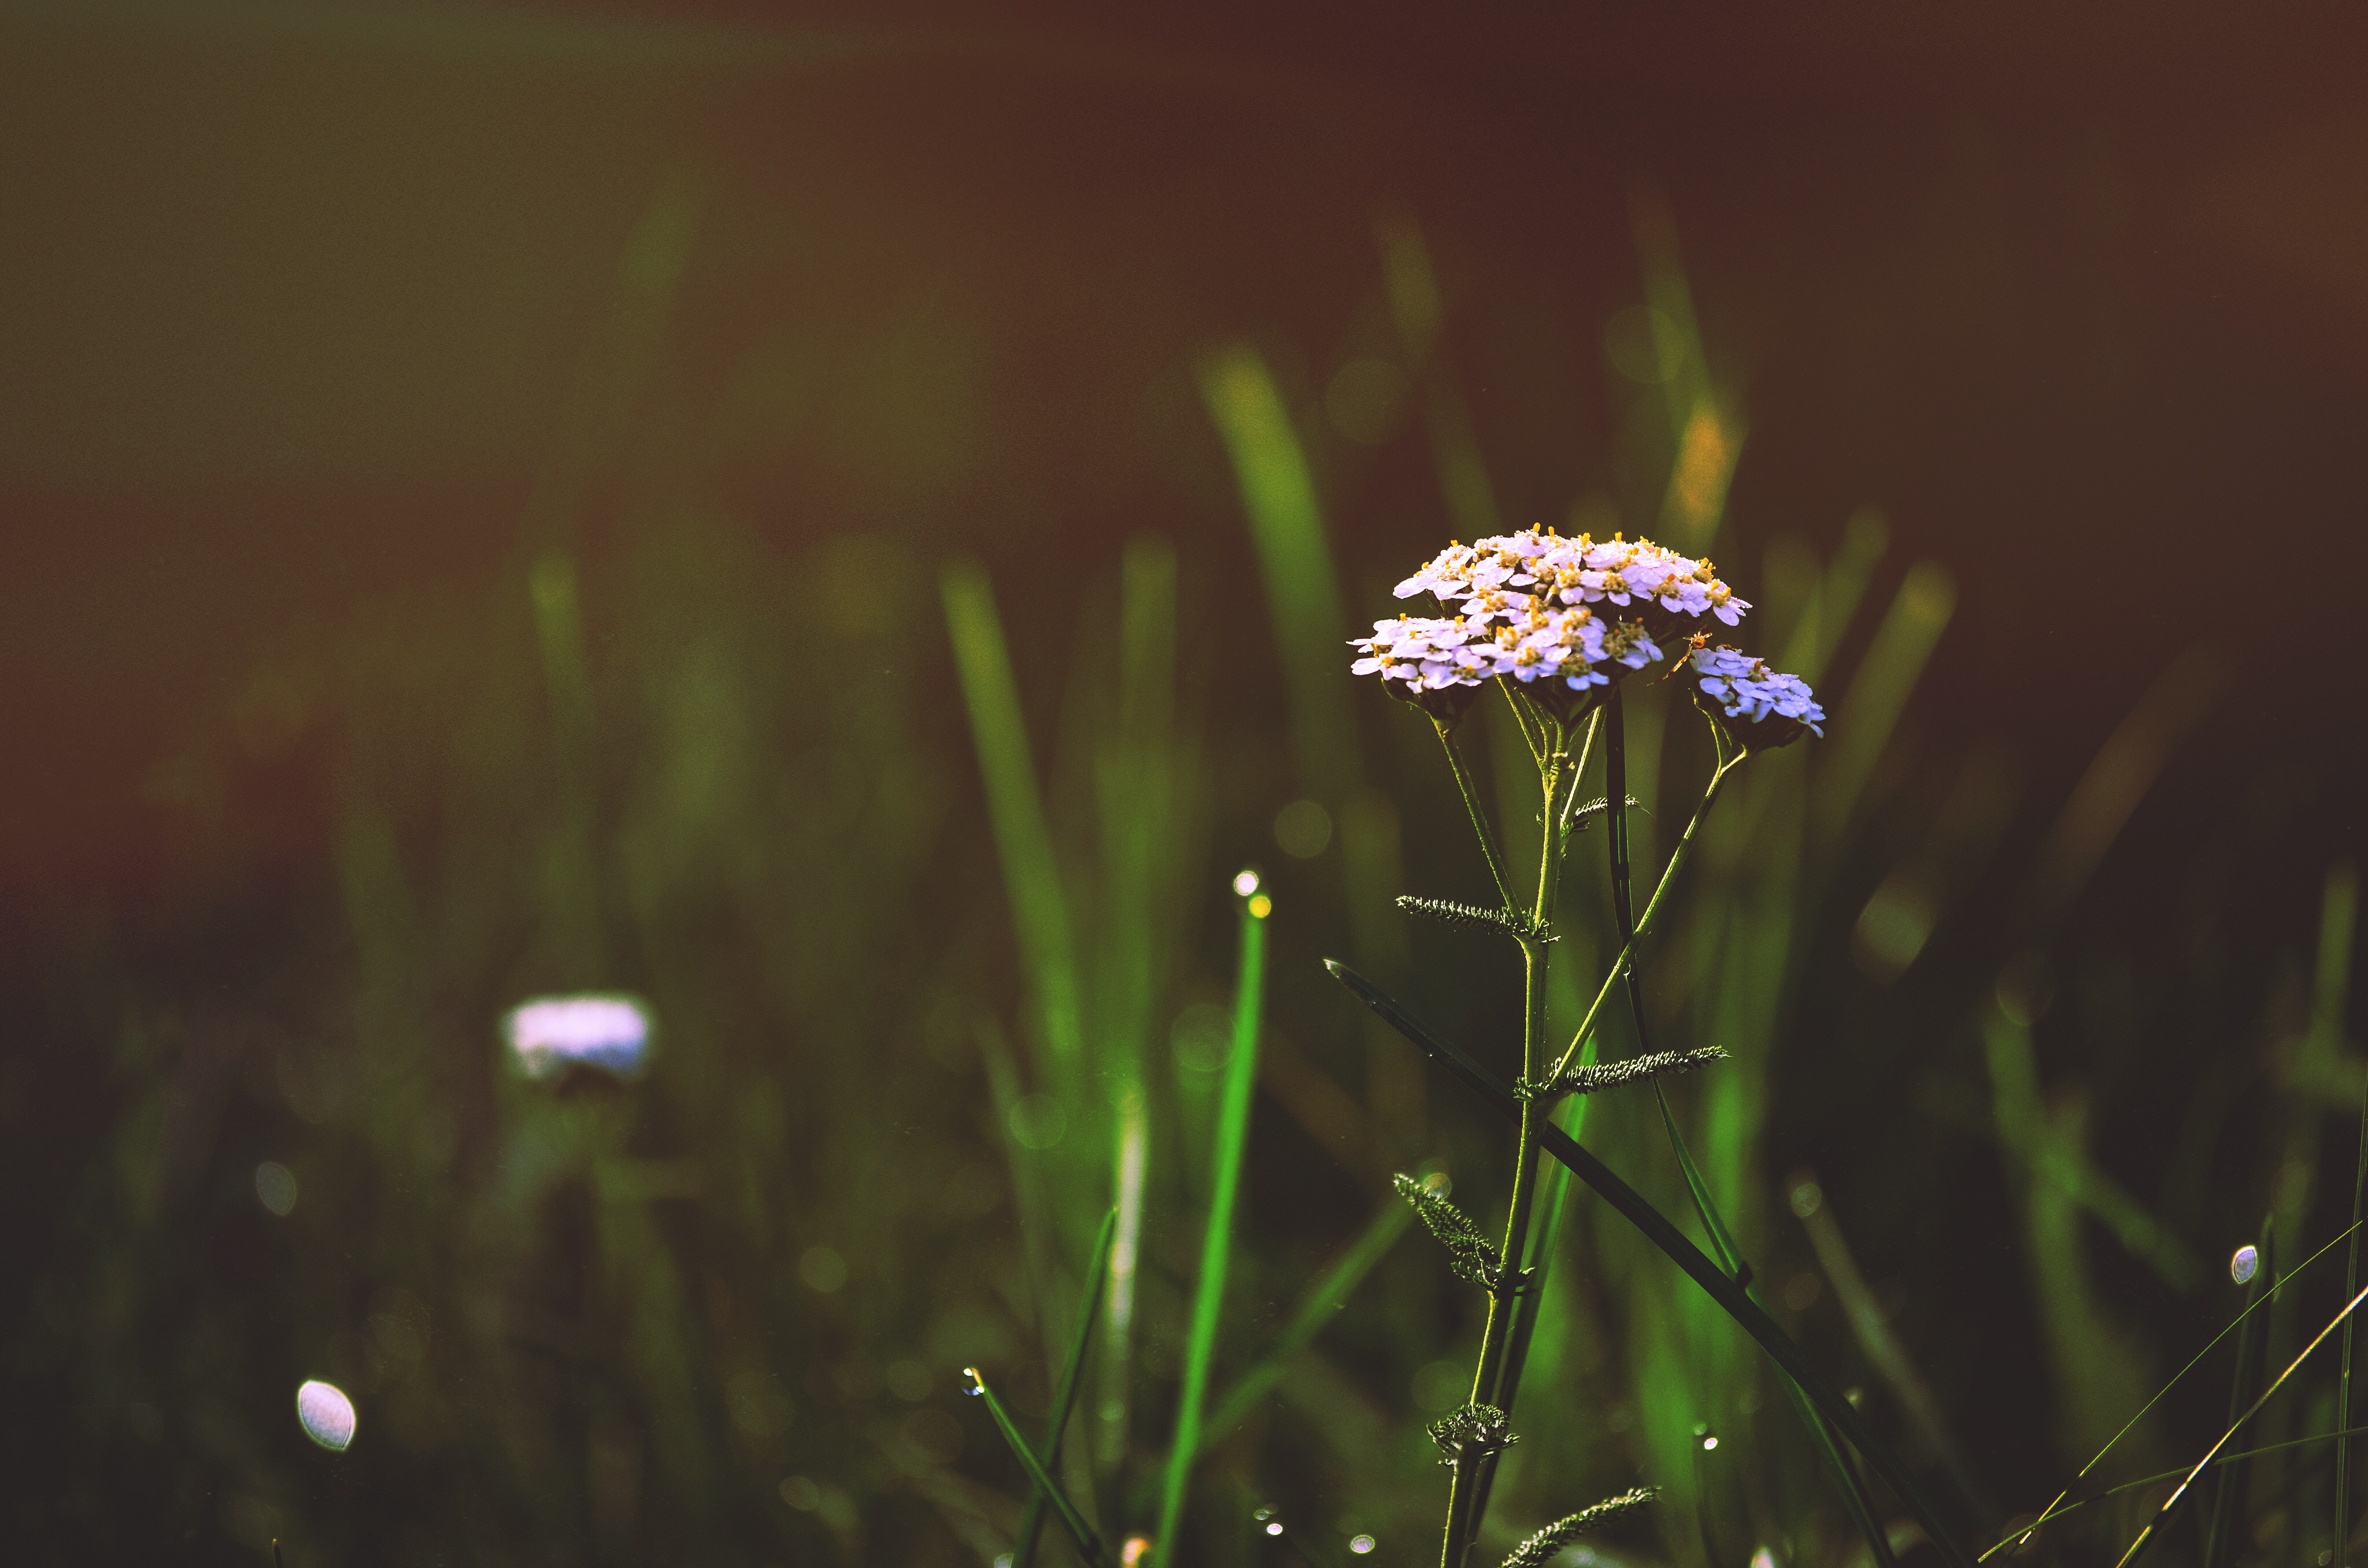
<point x="1015" y="807"/>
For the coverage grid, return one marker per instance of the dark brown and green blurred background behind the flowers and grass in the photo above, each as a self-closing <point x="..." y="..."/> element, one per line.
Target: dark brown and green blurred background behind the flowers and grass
<point x="475" y="489"/>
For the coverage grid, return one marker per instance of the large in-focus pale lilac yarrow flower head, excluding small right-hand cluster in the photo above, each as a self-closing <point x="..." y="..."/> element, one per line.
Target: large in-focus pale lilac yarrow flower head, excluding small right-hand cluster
<point x="1538" y="608"/>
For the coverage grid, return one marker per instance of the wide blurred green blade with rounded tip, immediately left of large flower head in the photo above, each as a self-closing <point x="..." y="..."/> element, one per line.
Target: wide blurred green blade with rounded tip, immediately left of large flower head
<point x="1294" y="555"/>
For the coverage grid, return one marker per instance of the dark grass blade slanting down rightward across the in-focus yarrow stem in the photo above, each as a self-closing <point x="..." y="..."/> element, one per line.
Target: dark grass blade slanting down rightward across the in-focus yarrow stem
<point x="1673" y="1245"/>
